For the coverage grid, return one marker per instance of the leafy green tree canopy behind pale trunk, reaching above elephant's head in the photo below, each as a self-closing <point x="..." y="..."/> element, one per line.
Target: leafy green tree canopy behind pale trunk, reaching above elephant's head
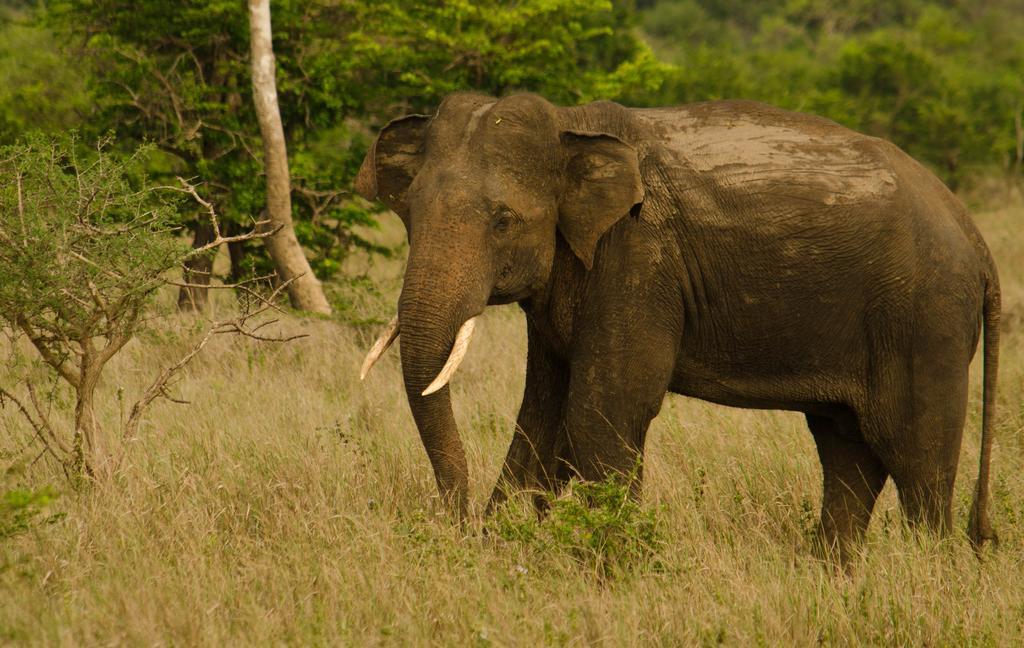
<point x="177" y="75"/>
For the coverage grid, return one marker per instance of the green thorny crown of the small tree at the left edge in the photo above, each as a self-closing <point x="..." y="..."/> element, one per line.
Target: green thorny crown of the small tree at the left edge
<point x="84" y="241"/>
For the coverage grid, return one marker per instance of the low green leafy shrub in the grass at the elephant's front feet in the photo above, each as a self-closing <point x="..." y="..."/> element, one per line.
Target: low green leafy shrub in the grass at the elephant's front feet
<point x="596" y="525"/>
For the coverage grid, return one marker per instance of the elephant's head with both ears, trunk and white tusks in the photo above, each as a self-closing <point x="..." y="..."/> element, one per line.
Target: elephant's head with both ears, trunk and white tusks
<point x="485" y="187"/>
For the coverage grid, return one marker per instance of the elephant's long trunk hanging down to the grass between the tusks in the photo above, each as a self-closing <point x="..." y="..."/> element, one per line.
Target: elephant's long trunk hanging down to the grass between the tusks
<point x="434" y="313"/>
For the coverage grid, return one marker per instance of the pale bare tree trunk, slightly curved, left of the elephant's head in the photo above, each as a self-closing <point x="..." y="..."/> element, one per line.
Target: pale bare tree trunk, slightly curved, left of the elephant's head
<point x="305" y="291"/>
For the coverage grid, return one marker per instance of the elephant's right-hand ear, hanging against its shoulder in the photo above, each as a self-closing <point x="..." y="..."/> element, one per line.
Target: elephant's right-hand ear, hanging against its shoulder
<point x="603" y="186"/>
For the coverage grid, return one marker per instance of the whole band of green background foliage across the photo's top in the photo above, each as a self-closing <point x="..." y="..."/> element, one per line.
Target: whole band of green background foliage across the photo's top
<point x="942" y="78"/>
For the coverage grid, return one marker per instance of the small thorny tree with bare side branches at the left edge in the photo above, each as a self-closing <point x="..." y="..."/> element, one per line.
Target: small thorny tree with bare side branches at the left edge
<point x="86" y="243"/>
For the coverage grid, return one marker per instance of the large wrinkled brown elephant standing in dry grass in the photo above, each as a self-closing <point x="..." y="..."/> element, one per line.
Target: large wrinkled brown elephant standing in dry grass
<point x="729" y="251"/>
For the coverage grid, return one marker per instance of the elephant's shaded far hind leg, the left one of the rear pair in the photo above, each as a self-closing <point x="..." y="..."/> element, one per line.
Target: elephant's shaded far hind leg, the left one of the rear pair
<point x="854" y="478"/>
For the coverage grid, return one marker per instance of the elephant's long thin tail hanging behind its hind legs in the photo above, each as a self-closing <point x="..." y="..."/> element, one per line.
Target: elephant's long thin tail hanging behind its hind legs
<point x="980" y="528"/>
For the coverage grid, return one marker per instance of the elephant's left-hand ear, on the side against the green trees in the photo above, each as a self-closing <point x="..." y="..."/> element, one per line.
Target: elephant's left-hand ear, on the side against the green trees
<point x="393" y="162"/>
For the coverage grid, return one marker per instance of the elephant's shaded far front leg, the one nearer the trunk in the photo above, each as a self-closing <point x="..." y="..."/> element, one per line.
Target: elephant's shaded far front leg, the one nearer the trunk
<point x="533" y="461"/>
